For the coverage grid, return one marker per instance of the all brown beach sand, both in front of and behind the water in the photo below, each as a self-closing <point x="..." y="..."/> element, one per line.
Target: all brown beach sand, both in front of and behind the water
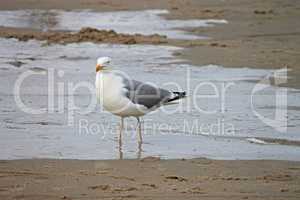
<point x="260" y="34"/>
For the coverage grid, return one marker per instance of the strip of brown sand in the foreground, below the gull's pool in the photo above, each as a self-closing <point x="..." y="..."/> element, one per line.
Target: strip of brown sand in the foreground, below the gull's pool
<point x="149" y="178"/>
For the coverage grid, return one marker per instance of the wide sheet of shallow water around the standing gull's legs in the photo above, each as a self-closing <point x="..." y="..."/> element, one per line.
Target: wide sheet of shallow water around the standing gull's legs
<point x="67" y="130"/>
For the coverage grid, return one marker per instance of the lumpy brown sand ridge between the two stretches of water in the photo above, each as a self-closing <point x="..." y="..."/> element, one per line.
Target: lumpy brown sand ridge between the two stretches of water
<point x="84" y="35"/>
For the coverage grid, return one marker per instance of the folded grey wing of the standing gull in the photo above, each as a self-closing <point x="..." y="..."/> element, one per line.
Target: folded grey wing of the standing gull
<point x="146" y="94"/>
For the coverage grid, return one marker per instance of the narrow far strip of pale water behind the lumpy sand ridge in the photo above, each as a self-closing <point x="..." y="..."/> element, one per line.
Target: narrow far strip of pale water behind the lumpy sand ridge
<point x="143" y="22"/>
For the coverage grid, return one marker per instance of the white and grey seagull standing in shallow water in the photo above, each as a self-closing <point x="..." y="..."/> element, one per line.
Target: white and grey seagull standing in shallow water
<point x="125" y="97"/>
